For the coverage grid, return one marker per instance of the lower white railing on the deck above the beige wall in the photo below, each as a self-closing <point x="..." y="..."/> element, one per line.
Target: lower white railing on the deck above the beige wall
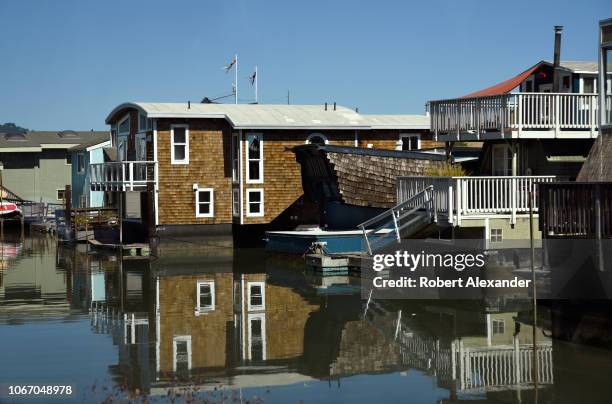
<point x="455" y="197"/>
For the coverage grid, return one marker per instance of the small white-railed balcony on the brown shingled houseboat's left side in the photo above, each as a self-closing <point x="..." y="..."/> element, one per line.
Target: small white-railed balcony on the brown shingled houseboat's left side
<point x="122" y="176"/>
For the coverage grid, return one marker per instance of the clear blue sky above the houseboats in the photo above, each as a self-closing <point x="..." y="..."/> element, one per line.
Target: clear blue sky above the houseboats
<point x="66" y="64"/>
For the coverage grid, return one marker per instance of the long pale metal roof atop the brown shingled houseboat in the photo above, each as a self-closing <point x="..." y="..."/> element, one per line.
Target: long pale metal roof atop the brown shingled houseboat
<point x="269" y="116"/>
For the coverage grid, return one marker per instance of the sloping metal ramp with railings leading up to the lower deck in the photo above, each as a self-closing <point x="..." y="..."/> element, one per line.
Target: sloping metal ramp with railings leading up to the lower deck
<point x="402" y="220"/>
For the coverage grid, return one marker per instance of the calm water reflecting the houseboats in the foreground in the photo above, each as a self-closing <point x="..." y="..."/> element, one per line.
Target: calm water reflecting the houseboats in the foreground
<point x="222" y="325"/>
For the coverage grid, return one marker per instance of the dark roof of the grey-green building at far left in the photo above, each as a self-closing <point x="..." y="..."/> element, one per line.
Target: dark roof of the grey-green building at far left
<point x="33" y="141"/>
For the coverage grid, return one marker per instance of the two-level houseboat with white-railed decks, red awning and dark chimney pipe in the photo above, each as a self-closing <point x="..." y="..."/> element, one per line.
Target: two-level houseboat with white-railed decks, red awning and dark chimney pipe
<point x="536" y="127"/>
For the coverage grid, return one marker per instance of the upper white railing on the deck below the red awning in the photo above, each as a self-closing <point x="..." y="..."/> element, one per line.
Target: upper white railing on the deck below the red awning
<point x="518" y="112"/>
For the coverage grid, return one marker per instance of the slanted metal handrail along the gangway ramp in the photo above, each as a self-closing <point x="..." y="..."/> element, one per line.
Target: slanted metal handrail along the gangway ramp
<point x="399" y="212"/>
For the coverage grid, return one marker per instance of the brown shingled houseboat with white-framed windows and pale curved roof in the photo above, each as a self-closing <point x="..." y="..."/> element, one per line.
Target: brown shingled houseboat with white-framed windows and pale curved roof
<point x="222" y="170"/>
